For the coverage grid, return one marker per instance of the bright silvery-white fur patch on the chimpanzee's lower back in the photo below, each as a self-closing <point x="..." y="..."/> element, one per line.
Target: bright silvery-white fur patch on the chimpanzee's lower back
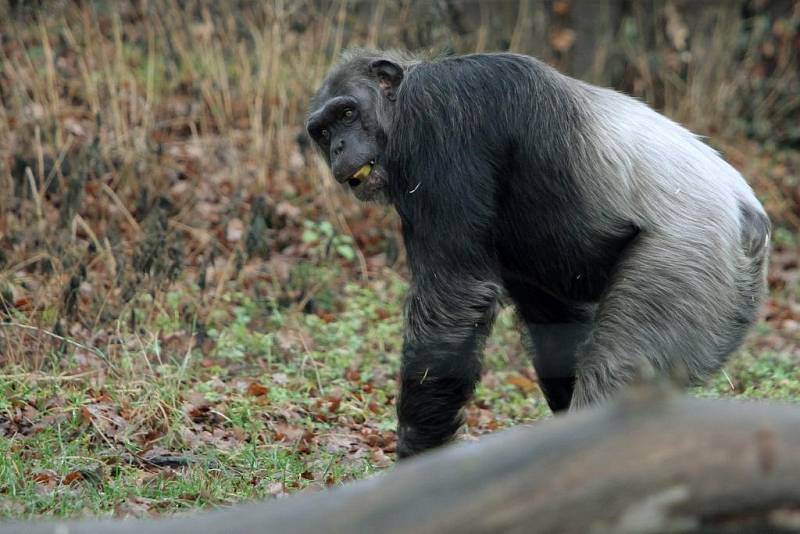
<point x="656" y="154"/>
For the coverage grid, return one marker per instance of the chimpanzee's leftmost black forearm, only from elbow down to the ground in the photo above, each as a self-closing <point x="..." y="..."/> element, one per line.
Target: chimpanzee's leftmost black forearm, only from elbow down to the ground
<point x="447" y="321"/>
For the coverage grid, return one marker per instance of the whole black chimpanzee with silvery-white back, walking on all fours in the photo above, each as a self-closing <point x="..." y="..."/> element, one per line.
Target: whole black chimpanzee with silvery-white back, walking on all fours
<point x="625" y="242"/>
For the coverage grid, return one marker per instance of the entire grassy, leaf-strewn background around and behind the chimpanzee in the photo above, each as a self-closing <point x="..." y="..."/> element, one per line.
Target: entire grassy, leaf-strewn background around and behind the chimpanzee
<point x="193" y="313"/>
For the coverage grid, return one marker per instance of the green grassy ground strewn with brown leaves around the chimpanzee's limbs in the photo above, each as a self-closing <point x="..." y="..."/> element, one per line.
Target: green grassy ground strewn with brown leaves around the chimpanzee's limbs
<point x="272" y="401"/>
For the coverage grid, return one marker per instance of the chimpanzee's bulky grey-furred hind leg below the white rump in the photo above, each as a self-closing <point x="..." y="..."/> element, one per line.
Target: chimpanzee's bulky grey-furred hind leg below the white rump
<point x="672" y="304"/>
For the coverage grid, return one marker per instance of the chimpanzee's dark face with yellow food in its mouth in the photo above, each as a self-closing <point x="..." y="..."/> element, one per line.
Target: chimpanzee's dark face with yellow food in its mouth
<point x="348" y="121"/>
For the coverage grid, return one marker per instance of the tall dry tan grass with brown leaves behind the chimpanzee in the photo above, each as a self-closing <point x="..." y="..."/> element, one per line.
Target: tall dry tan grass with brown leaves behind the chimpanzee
<point x="136" y="139"/>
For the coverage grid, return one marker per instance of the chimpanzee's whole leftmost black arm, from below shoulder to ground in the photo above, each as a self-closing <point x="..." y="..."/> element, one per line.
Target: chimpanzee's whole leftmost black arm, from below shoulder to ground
<point x="449" y="312"/>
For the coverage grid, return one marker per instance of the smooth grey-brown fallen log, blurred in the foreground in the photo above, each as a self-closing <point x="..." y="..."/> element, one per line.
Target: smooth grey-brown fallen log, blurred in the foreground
<point x="652" y="461"/>
